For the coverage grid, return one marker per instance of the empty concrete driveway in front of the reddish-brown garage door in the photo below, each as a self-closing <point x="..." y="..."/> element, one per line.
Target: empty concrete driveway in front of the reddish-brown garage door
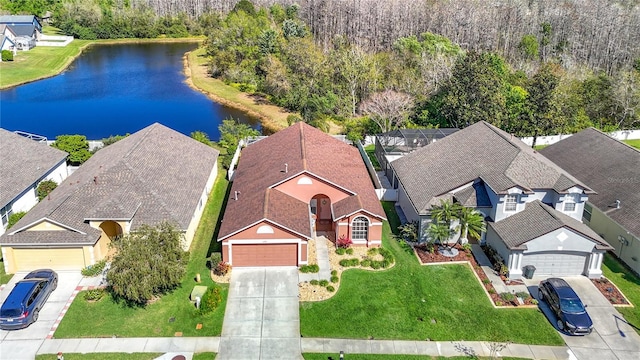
<point x="262" y="318"/>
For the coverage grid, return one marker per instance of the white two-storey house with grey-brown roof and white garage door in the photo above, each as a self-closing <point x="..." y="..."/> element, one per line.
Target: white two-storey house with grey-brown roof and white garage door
<point x="533" y="208"/>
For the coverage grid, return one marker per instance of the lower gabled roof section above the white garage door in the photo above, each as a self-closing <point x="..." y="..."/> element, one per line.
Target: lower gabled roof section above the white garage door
<point x="538" y="219"/>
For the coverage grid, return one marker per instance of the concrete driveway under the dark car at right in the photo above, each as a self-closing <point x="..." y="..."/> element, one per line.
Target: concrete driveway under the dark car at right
<point x="612" y="337"/>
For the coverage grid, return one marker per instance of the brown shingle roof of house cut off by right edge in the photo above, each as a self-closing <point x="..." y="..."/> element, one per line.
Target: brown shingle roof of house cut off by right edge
<point x="610" y="167"/>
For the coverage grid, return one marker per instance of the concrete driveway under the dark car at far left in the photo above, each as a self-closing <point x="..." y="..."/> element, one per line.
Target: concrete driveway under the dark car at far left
<point x="24" y="343"/>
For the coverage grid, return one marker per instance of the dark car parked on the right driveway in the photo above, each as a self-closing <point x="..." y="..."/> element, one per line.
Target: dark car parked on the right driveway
<point x="572" y="315"/>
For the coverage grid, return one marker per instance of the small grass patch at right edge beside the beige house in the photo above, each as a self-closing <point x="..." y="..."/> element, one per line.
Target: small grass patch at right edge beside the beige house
<point x="628" y="283"/>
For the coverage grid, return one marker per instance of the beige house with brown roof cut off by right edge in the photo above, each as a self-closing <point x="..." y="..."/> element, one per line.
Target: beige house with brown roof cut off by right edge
<point x="612" y="169"/>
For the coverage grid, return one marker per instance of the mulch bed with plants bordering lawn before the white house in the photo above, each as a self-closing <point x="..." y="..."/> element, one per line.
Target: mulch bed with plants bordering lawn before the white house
<point x="426" y="256"/>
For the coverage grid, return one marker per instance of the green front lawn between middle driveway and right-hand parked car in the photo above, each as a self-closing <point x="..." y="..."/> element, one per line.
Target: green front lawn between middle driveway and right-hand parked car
<point x="414" y="302"/>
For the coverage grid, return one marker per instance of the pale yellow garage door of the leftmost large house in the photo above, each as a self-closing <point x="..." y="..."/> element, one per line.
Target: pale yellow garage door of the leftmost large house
<point x="57" y="259"/>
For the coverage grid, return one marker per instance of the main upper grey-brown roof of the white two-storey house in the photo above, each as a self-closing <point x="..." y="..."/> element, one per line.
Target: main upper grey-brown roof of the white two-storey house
<point x="482" y="151"/>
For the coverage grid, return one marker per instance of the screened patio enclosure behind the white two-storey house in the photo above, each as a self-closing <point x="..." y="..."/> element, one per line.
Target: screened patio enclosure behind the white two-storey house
<point x="397" y="143"/>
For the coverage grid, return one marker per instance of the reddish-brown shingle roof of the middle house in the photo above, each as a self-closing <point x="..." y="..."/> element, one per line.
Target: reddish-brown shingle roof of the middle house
<point x="304" y="149"/>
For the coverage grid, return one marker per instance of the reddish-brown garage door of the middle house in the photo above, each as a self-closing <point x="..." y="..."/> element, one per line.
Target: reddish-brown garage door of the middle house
<point x="264" y="255"/>
